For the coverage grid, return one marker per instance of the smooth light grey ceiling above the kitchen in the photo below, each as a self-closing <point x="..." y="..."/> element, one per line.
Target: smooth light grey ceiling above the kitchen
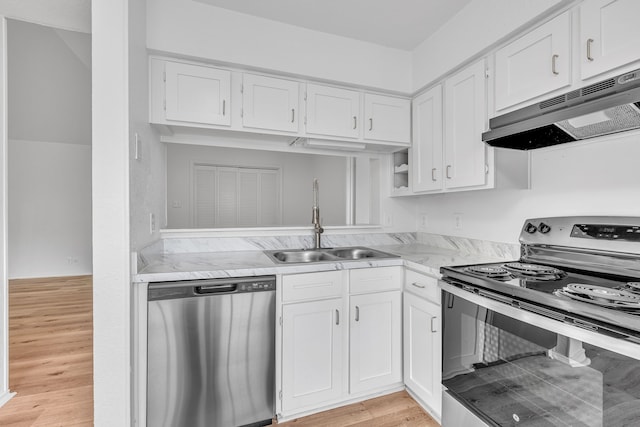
<point x="400" y="24"/>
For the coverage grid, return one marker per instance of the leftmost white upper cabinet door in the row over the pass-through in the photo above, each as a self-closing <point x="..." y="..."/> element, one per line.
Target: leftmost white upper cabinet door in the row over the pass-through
<point x="197" y="94"/>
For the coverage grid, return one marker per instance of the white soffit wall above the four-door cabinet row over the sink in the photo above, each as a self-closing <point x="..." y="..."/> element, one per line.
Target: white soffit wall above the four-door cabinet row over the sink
<point x="192" y="28"/>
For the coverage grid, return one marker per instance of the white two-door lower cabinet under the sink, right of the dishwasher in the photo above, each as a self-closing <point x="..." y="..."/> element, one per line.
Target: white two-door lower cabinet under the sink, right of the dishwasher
<point x="326" y="344"/>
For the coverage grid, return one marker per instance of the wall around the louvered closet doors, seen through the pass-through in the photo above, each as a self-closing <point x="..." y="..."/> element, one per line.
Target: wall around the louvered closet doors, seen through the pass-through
<point x="297" y="172"/>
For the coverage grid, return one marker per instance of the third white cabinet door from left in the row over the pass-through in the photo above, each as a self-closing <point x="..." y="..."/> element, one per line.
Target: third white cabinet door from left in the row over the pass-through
<point x="332" y="111"/>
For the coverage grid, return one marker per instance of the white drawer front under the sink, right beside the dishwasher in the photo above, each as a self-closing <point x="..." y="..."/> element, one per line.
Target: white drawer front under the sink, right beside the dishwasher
<point x="299" y="287"/>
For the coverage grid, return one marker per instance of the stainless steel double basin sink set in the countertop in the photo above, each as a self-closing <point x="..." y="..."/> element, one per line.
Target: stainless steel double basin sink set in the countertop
<point x="297" y="256"/>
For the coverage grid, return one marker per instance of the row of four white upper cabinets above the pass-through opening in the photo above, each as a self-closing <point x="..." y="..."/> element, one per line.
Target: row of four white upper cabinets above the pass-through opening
<point x="197" y="96"/>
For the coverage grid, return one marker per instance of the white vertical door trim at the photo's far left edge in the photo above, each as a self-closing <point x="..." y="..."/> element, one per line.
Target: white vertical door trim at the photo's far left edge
<point x="4" y="282"/>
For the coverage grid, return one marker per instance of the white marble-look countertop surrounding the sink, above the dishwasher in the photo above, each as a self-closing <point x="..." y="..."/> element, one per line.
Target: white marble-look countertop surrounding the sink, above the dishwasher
<point x="209" y="265"/>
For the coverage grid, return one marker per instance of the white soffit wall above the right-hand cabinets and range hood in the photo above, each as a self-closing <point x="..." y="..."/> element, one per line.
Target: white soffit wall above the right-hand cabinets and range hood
<point x="475" y="28"/>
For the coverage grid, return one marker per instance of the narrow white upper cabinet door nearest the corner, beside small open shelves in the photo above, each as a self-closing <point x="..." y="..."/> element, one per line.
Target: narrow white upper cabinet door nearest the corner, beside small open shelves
<point x="426" y="151"/>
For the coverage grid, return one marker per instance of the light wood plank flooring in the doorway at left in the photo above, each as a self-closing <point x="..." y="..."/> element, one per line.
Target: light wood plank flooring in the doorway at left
<point x="50" y="353"/>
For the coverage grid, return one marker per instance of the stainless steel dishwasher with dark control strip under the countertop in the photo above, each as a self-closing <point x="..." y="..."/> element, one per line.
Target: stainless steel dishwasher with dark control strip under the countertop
<point x="211" y="352"/>
